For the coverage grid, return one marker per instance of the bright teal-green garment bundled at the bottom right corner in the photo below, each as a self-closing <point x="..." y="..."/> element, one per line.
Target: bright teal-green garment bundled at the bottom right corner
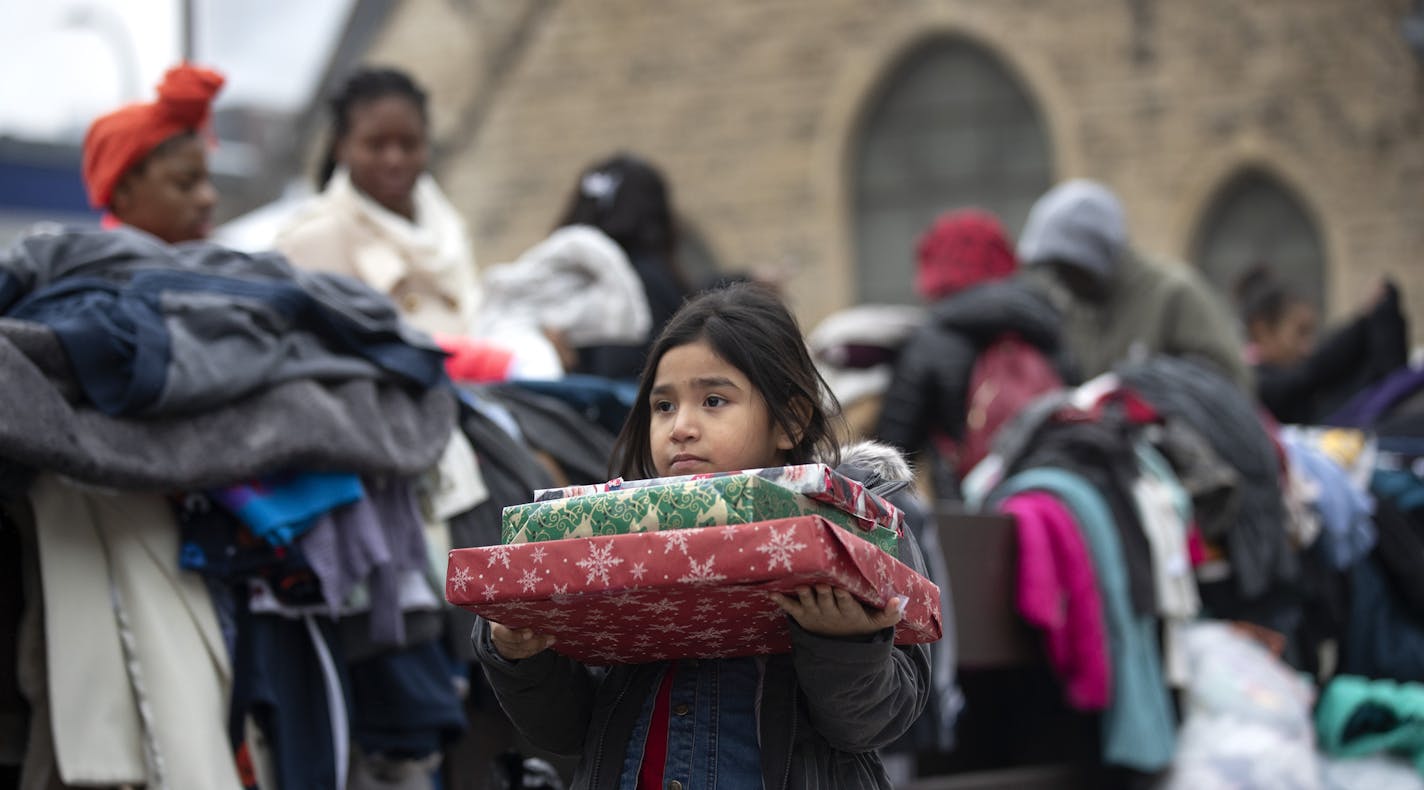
<point x="1359" y="717"/>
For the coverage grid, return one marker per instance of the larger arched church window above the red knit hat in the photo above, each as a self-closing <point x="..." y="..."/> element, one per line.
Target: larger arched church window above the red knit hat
<point x="951" y="127"/>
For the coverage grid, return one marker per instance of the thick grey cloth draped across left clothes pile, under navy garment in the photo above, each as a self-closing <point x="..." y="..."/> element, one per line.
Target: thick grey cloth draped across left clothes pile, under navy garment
<point x="365" y="426"/>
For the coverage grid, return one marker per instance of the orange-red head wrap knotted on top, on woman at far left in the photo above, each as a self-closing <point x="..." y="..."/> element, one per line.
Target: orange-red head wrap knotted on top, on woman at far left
<point x="120" y="140"/>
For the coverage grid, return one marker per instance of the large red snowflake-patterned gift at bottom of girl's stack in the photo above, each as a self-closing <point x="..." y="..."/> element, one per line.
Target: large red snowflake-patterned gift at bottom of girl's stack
<point x="700" y="593"/>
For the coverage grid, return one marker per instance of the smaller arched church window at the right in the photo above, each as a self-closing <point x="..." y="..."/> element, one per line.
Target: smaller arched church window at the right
<point x="1257" y="220"/>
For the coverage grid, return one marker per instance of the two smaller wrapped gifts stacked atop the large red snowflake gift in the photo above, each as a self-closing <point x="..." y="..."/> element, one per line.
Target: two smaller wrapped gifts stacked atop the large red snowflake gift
<point x="710" y="500"/>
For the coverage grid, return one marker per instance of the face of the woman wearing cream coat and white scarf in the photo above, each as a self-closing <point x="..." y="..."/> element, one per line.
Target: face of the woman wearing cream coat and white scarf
<point x="385" y="150"/>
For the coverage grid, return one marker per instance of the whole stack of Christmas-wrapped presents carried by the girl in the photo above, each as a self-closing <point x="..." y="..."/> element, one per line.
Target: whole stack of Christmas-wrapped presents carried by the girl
<point x="683" y="567"/>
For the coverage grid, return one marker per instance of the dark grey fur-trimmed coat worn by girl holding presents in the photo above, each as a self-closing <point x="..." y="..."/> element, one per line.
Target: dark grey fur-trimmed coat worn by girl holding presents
<point x="825" y="710"/>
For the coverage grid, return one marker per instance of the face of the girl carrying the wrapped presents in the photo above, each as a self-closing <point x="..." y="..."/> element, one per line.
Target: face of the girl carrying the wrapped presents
<point x="708" y="418"/>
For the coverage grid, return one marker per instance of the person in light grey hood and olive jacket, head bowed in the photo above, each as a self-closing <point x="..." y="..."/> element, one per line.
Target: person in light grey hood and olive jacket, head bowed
<point x="1121" y="305"/>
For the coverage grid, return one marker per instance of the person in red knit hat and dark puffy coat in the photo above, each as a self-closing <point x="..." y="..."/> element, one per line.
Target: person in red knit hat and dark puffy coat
<point x="966" y="273"/>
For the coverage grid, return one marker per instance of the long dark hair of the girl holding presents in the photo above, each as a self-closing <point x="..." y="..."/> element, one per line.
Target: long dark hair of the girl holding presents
<point x="750" y="328"/>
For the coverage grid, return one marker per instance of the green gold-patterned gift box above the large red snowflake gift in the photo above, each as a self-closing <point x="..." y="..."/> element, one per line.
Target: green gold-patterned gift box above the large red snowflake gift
<point x="716" y="502"/>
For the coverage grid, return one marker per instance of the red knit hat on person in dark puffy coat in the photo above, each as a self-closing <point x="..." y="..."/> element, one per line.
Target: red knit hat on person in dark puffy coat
<point x="962" y="250"/>
